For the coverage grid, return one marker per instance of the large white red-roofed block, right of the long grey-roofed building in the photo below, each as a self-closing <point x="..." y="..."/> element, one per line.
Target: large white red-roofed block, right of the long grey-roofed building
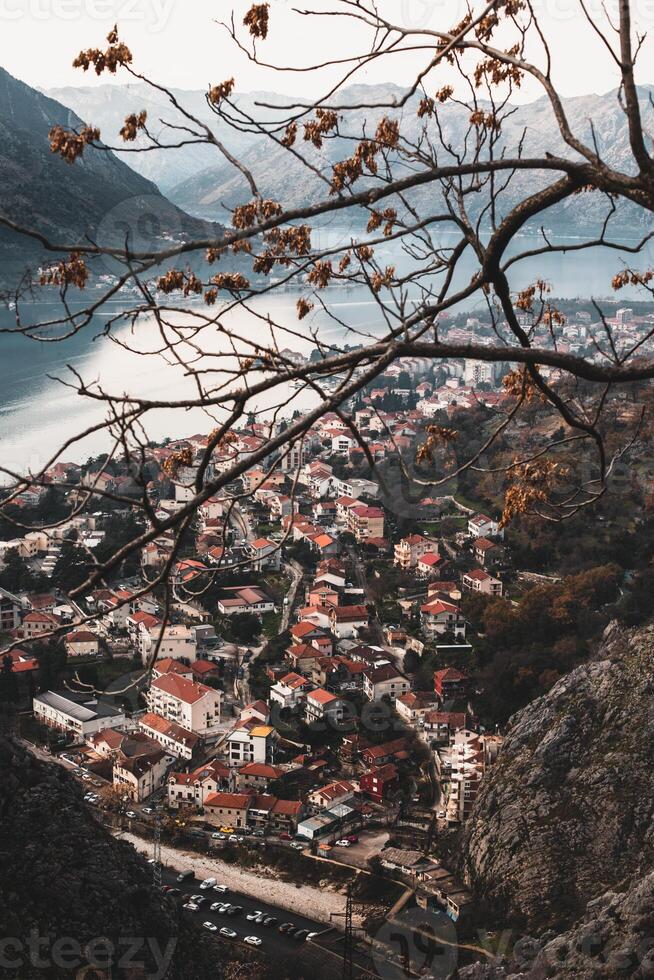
<point x="194" y="706"/>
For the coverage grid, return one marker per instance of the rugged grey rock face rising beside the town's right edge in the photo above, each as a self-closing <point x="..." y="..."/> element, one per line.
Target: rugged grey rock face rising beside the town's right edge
<point x="567" y="813"/>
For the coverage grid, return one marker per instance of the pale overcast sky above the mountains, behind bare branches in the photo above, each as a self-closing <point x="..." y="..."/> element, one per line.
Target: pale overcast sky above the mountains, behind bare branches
<point x="179" y="43"/>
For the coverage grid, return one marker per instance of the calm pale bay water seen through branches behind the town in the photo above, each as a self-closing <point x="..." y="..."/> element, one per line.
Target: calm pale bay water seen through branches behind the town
<point x="37" y="412"/>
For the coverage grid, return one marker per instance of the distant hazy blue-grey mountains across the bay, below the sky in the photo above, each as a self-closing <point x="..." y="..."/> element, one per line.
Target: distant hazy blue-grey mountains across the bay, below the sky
<point x="198" y="180"/>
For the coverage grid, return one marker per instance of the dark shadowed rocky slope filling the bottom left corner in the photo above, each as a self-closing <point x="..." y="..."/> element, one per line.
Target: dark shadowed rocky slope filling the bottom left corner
<point x="70" y="894"/>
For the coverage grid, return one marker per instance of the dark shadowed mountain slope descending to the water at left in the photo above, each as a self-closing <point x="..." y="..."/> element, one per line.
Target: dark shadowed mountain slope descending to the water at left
<point x="99" y="197"/>
